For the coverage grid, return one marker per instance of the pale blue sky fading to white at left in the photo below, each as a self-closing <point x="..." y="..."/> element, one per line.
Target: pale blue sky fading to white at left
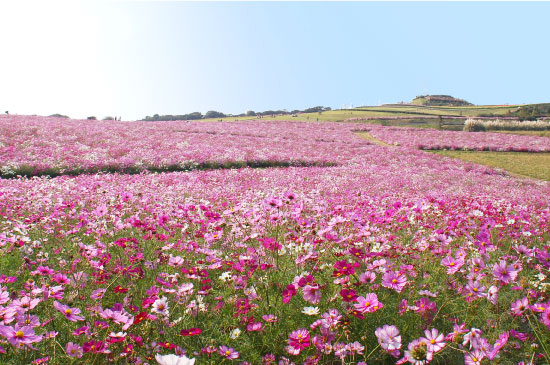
<point x="139" y="58"/>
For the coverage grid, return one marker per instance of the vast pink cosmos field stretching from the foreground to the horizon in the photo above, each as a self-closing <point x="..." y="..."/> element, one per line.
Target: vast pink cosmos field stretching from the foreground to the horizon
<point x="363" y="254"/>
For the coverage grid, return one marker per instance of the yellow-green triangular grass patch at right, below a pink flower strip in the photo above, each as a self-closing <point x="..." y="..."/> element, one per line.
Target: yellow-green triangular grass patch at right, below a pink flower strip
<point x="534" y="165"/>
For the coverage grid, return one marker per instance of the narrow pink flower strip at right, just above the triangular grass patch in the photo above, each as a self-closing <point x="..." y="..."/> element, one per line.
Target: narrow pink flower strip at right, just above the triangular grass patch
<point x="432" y="139"/>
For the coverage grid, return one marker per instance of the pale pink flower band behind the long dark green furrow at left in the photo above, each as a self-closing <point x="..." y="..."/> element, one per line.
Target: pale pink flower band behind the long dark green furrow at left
<point x="37" y="145"/>
